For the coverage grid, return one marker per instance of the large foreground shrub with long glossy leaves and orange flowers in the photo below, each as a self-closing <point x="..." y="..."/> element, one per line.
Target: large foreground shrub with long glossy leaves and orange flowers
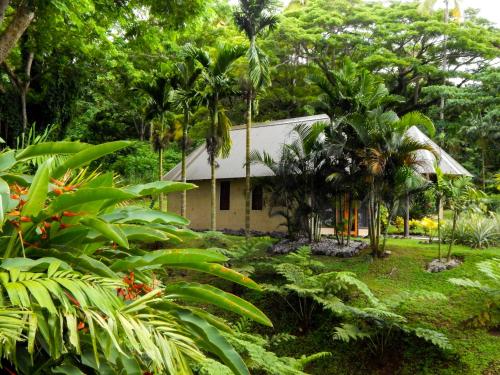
<point x="77" y="293"/>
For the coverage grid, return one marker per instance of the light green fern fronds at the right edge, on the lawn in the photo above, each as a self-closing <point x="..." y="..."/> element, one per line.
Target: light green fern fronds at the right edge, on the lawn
<point x="490" y="287"/>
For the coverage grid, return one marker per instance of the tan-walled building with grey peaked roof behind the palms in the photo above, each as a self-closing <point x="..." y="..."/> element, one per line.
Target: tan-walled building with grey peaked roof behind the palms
<point x="269" y="137"/>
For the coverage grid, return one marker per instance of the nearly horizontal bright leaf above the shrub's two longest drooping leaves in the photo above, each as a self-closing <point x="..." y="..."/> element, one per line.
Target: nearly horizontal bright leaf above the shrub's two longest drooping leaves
<point x="169" y="257"/>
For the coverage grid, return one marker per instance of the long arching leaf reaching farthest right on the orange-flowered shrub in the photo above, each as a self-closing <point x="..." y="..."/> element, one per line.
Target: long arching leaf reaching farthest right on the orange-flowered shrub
<point x="209" y="294"/>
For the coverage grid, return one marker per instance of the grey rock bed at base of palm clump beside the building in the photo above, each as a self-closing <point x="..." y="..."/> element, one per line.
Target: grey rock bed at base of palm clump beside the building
<point x="327" y="246"/>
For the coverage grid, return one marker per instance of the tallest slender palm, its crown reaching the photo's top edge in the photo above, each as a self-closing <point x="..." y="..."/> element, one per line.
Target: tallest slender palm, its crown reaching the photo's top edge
<point x="254" y="17"/>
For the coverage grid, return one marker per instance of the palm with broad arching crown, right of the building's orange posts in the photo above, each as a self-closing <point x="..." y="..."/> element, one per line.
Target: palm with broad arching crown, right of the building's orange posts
<point x="388" y="155"/>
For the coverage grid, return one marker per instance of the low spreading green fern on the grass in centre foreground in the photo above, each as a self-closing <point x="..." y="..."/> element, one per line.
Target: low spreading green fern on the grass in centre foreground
<point x="307" y="289"/>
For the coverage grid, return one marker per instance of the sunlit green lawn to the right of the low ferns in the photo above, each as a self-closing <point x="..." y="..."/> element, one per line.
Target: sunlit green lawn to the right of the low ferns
<point x="404" y="270"/>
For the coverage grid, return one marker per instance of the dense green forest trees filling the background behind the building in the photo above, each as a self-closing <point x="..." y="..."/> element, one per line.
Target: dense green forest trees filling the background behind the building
<point x="88" y="70"/>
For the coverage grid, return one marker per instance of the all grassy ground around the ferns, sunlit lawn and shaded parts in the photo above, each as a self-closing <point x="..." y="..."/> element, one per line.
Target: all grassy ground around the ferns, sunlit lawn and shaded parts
<point x="475" y="350"/>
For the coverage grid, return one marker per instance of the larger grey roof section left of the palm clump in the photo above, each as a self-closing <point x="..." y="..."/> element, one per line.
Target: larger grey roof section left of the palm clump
<point x="267" y="136"/>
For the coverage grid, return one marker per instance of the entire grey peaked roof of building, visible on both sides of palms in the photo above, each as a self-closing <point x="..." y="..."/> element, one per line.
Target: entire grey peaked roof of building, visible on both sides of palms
<point x="270" y="136"/>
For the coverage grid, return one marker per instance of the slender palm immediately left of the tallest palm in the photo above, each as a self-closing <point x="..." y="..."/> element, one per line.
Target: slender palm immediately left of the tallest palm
<point x="217" y="85"/>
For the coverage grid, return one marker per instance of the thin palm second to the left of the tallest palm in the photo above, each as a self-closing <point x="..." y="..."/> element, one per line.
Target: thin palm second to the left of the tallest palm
<point x="186" y="98"/>
